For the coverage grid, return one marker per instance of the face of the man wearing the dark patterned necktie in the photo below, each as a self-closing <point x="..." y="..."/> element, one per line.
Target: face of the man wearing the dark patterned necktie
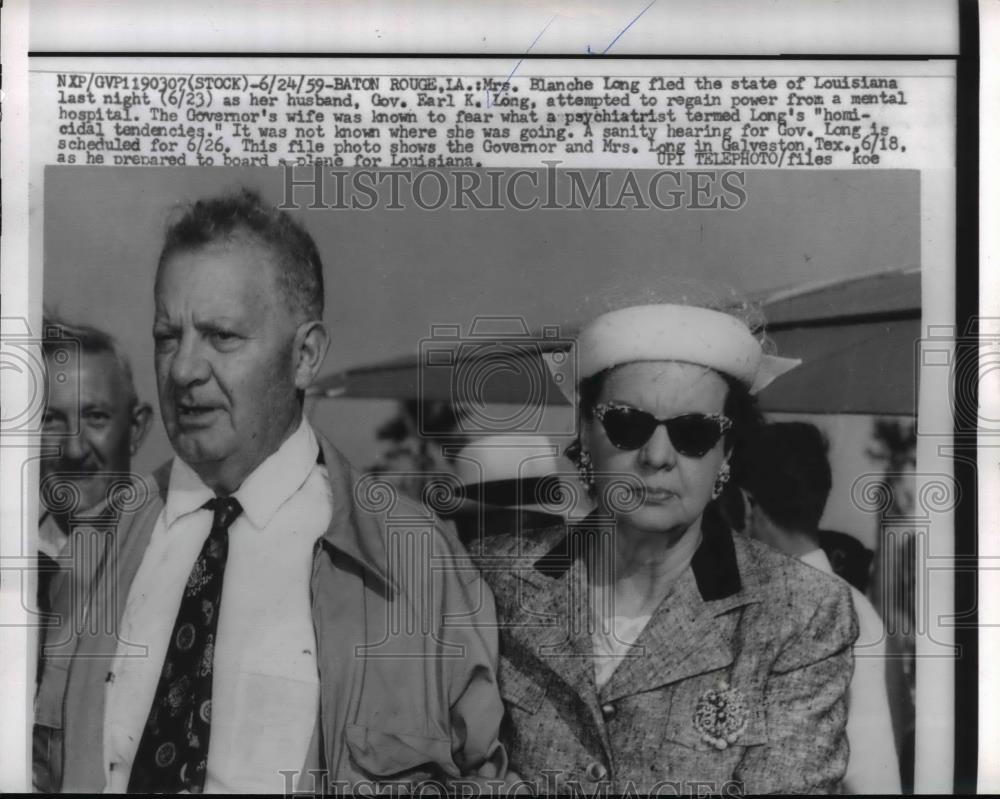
<point x="225" y="359"/>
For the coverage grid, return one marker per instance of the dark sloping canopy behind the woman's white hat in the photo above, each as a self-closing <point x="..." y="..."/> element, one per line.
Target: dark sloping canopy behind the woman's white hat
<point x="858" y="340"/>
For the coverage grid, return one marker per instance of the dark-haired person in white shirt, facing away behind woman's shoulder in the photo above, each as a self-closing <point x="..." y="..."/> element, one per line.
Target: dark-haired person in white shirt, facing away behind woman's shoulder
<point x="786" y="474"/>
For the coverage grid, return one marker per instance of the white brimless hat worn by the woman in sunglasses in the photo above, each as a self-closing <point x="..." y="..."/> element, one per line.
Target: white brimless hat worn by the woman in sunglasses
<point x="673" y="333"/>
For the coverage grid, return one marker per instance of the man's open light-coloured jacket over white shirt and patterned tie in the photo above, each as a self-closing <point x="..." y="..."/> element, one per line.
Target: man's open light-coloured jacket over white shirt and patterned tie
<point x="406" y="646"/>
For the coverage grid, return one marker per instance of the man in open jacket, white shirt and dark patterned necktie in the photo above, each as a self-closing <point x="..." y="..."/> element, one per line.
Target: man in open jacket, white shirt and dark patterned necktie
<point x="351" y="640"/>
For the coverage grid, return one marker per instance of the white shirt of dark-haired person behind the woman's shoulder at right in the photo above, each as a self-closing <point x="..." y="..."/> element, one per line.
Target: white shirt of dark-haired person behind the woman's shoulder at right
<point x="873" y="767"/>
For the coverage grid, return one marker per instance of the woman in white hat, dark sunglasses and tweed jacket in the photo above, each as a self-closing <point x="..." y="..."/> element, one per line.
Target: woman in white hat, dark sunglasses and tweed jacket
<point x="646" y="649"/>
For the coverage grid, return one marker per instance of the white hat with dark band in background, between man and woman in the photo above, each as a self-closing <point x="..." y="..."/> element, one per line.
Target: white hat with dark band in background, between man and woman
<point x="511" y="465"/>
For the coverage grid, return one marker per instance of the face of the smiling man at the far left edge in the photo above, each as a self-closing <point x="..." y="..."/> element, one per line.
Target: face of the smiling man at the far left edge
<point x="105" y="425"/>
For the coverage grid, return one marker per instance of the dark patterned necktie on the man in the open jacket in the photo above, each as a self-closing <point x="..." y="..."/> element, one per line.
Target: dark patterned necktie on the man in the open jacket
<point x="173" y="752"/>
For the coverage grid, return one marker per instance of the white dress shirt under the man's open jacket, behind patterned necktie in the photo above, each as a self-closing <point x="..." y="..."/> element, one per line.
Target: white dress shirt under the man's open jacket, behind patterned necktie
<point x="265" y="690"/>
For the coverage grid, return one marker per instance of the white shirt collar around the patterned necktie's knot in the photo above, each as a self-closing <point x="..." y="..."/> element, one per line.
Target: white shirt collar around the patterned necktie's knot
<point x="264" y="490"/>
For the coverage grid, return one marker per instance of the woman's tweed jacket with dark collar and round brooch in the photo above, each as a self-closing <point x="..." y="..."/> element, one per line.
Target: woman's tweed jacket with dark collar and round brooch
<point x="746" y="632"/>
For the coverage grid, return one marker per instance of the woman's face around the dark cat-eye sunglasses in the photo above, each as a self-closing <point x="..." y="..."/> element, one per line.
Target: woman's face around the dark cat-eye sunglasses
<point x="677" y="487"/>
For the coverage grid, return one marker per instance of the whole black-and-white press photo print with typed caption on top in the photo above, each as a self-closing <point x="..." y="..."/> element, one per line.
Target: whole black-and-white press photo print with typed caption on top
<point x="524" y="425"/>
